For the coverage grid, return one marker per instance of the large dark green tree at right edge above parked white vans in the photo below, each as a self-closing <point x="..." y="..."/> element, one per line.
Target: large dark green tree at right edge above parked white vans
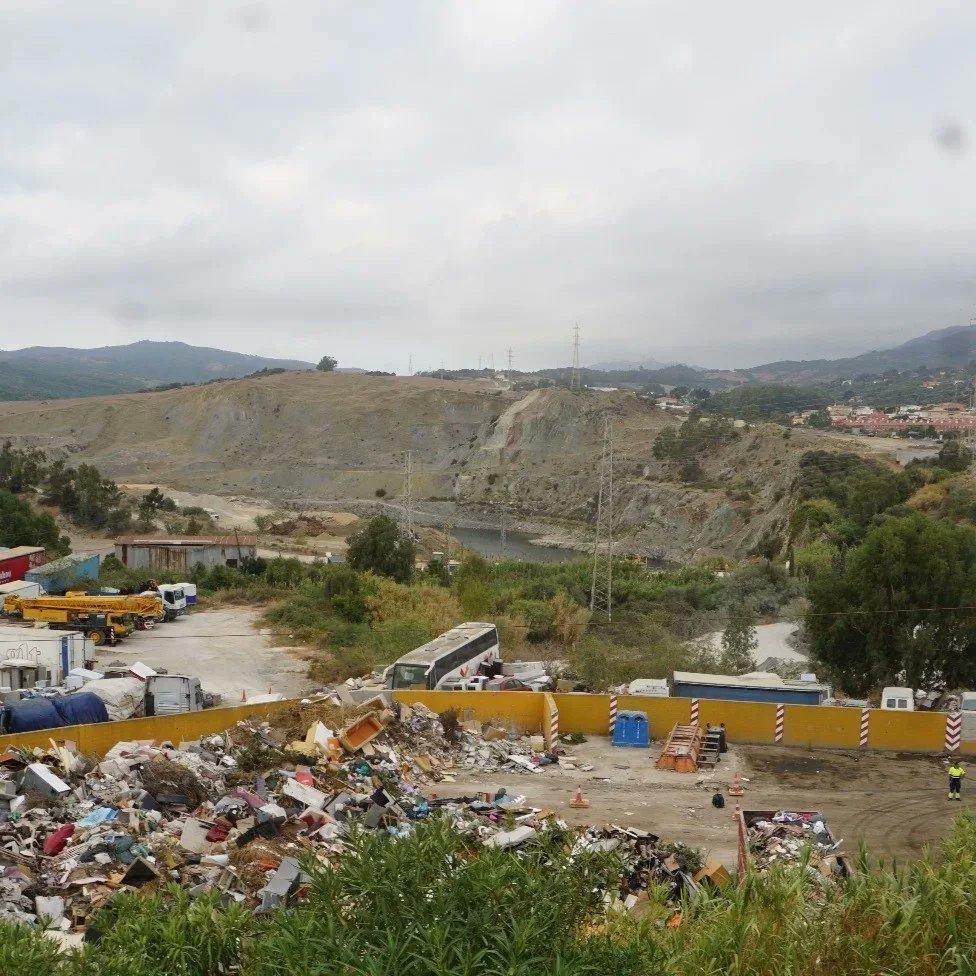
<point x="898" y="610"/>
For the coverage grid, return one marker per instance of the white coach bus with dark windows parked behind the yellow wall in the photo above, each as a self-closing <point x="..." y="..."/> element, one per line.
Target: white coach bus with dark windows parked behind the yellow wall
<point x="453" y="656"/>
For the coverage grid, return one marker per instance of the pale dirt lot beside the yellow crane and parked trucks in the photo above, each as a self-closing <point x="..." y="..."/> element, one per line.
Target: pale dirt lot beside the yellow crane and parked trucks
<point x="222" y="647"/>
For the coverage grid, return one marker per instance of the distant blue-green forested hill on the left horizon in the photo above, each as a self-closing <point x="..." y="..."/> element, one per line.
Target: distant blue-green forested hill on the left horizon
<point x="50" y="373"/>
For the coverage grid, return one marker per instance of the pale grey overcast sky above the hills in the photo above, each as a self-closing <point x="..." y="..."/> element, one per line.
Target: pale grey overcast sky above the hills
<point x="712" y="182"/>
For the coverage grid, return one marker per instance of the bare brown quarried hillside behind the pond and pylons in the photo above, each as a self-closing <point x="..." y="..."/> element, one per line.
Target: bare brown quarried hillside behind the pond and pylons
<point x="311" y="440"/>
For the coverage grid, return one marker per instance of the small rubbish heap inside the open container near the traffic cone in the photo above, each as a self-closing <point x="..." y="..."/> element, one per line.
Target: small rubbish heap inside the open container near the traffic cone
<point x="786" y="835"/>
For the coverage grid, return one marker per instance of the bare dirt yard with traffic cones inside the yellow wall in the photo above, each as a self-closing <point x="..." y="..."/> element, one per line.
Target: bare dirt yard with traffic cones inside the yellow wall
<point x="895" y="803"/>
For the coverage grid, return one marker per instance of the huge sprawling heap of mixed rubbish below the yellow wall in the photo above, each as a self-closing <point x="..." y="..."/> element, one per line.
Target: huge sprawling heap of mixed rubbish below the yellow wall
<point x="237" y="812"/>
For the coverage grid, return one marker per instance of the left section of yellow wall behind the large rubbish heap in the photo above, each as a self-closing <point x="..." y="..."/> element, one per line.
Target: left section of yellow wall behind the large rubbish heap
<point x="96" y="740"/>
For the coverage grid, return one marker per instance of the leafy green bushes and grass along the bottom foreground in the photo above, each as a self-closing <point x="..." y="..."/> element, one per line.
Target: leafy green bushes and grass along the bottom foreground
<point x="431" y="905"/>
